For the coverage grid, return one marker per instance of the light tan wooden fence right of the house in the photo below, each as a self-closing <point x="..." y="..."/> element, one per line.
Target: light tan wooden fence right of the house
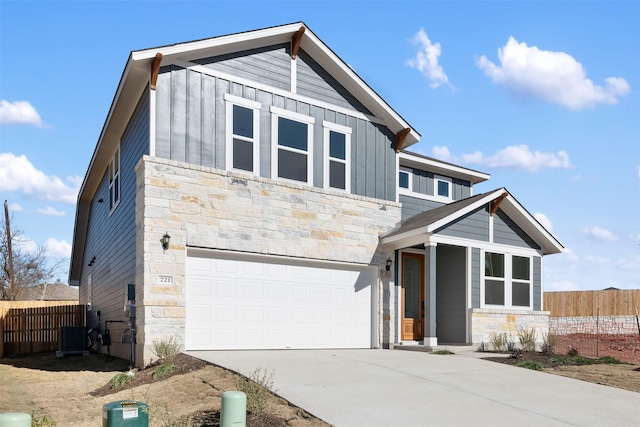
<point x="614" y="302"/>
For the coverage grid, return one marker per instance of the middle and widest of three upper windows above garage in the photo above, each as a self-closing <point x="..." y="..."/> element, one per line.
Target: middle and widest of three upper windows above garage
<point x="292" y="145"/>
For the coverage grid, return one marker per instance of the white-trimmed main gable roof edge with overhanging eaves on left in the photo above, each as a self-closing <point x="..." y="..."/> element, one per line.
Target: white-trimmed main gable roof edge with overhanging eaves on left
<point x="136" y="77"/>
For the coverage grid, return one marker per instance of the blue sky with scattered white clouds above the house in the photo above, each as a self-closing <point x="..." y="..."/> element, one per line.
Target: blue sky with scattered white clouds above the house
<point x="544" y="96"/>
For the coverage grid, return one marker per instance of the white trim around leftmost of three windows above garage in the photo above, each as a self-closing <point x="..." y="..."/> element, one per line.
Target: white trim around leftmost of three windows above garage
<point x="232" y="100"/>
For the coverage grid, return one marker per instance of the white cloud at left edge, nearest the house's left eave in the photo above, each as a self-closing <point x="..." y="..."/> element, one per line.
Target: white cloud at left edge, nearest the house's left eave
<point x="18" y="174"/>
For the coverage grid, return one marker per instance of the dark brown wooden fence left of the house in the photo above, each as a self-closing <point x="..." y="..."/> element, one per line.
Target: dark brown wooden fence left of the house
<point x="35" y="329"/>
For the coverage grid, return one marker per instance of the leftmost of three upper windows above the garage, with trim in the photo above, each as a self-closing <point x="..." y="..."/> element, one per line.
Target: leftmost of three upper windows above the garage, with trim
<point x="242" y="135"/>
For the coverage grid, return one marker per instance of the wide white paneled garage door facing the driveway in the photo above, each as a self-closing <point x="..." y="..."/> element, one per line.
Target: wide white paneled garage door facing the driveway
<point x="259" y="303"/>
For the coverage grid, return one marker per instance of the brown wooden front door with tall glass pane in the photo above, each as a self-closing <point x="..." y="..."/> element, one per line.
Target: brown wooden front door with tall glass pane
<point x="412" y="296"/>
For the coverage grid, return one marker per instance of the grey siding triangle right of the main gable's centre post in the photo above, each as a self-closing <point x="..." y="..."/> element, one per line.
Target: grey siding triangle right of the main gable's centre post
<point x="317" y="83"/>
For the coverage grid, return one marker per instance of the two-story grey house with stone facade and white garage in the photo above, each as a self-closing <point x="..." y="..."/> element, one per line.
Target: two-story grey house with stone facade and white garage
<point x="258" y="195"/>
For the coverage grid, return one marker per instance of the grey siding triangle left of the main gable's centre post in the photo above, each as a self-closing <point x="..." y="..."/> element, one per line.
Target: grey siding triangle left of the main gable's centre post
<point x="270" y="65"/>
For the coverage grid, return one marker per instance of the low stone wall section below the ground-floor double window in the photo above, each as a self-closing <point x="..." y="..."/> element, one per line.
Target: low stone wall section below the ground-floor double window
<point x="485" y="321"/>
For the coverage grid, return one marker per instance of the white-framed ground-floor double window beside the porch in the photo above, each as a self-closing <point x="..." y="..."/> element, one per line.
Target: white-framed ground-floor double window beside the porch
<point x="507" y="280"/>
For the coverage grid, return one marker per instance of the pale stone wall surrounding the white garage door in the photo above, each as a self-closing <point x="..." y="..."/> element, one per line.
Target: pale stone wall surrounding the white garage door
<point x="210" y="208"/>
